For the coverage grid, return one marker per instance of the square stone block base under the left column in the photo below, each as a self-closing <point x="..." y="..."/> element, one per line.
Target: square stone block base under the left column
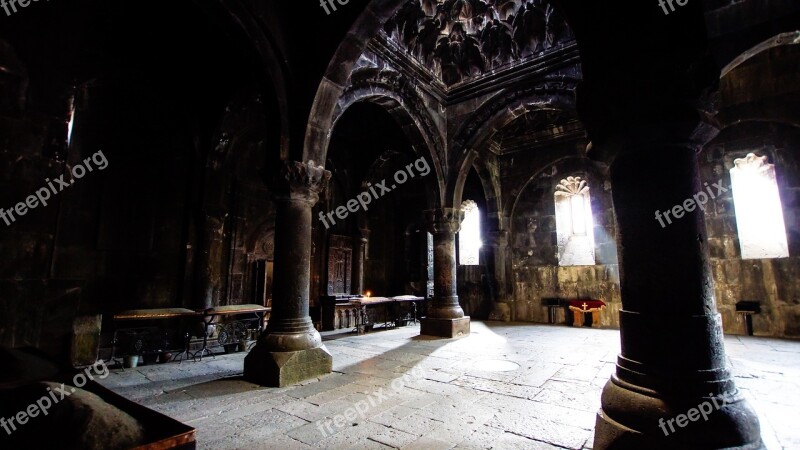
<point x="280" y="369"/>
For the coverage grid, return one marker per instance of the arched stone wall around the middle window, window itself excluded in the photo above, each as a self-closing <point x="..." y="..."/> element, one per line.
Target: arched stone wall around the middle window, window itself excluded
<point x="536" y="272"/>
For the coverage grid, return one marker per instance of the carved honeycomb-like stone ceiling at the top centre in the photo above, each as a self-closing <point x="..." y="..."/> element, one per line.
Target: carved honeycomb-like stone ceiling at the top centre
<point x="462" y="40"/>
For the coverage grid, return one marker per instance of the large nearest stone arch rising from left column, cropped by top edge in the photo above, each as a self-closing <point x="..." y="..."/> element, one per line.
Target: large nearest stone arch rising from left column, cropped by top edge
<point x="343" y="62"/>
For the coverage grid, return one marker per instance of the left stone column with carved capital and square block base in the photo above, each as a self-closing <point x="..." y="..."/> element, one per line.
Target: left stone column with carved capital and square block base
<point x="291" y="350"/>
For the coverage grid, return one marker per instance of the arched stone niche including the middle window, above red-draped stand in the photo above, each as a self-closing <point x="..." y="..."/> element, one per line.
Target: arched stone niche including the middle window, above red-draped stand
<point x="542" y="227"/>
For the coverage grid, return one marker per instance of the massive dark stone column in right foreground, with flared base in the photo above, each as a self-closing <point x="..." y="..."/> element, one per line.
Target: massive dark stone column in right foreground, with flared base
<point x="673" y="358"/>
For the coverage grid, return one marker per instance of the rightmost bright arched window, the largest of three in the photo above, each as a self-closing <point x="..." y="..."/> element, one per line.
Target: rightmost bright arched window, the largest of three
<point x="759" y="214"/>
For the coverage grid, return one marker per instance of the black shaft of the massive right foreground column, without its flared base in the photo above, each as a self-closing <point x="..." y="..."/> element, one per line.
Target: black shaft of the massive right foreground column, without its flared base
<point x="666" y="284"/>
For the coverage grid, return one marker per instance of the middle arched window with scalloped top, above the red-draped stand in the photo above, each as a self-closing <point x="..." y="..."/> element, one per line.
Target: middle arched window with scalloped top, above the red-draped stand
<point x="574" y="224"/>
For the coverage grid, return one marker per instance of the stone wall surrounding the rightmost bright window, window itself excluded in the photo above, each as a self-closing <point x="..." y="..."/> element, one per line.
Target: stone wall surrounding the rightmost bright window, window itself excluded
<point x="771" y="282"/>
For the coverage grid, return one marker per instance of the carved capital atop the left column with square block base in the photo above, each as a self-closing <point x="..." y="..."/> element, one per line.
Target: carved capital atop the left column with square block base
<point x="296" y="181"/>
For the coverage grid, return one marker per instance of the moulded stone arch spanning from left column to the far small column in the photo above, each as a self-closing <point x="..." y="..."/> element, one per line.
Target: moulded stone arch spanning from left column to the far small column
<point x="393" y="93"/>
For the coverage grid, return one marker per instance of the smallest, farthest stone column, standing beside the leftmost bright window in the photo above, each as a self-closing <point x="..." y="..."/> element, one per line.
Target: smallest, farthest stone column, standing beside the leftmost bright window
<point x="445" y="316"/>
